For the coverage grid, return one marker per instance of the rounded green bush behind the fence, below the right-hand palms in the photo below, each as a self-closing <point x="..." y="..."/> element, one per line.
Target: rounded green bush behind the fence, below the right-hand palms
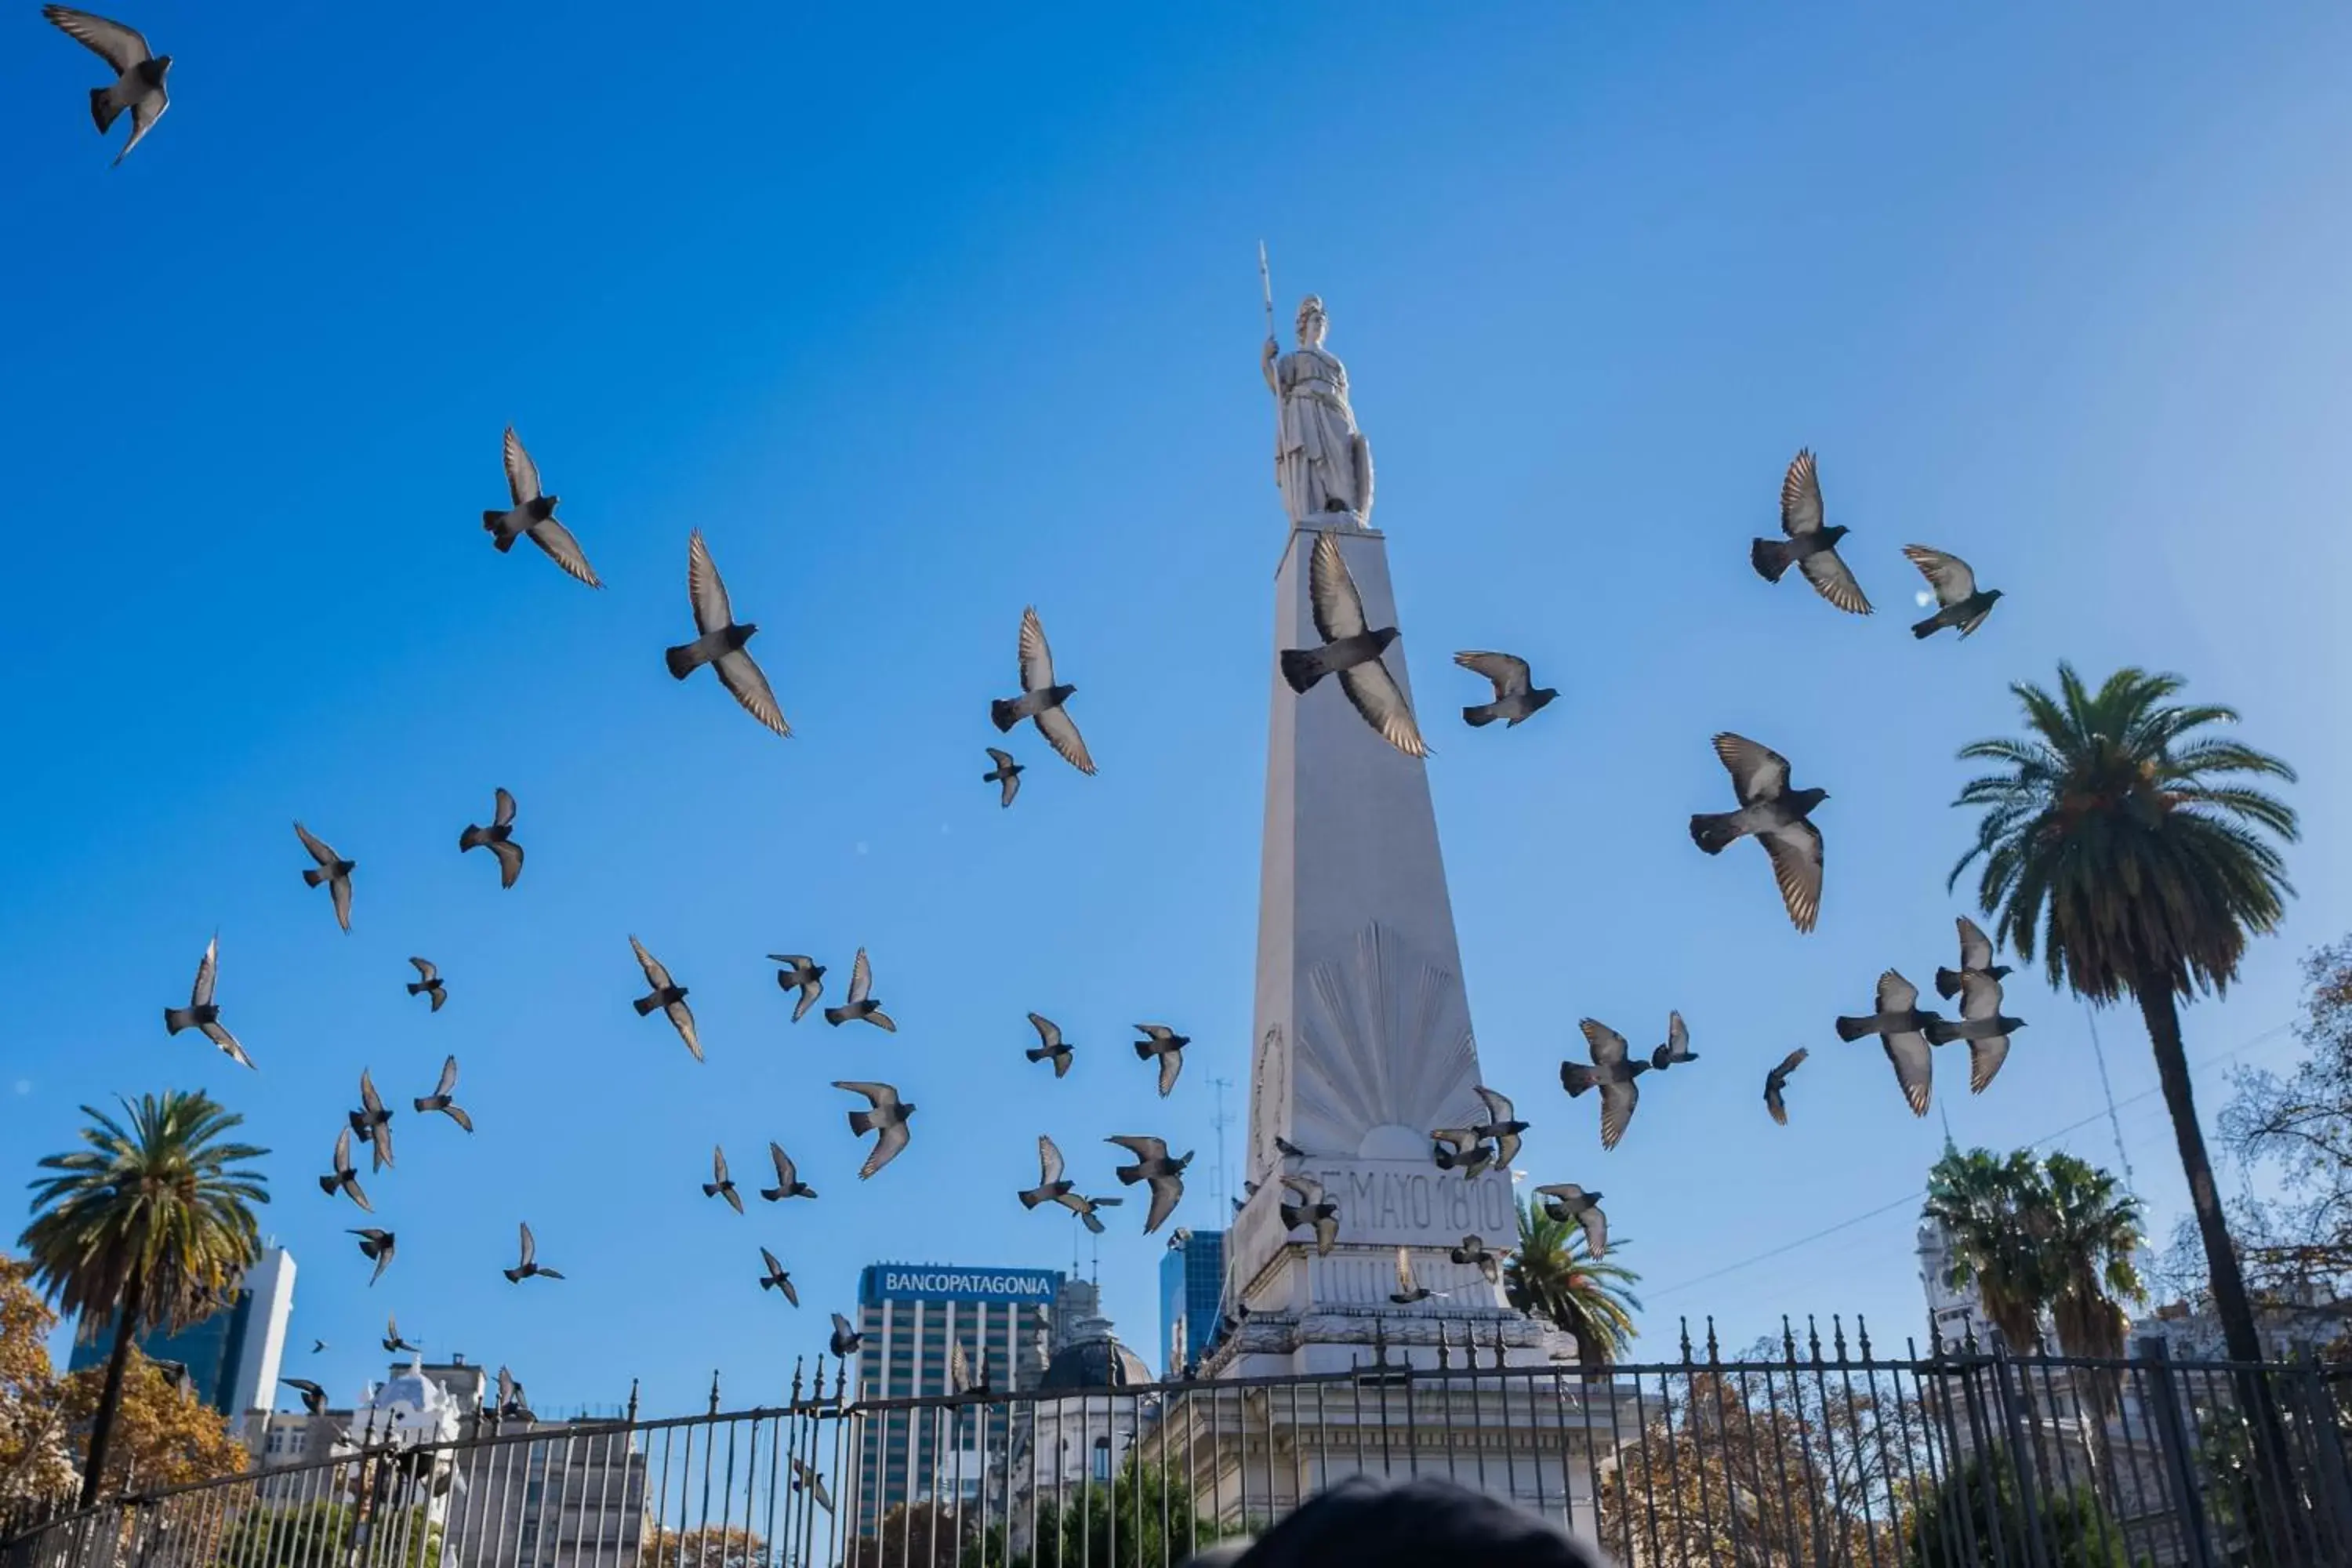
<point x="1979" y="1520"/>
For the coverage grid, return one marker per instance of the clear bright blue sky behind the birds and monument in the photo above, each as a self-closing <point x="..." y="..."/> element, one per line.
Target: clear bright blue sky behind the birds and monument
<point x="935" y="314"/>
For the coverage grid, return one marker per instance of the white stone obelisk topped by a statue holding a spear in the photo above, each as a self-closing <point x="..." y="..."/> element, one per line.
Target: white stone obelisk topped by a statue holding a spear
<point x="1363" y="1026"/>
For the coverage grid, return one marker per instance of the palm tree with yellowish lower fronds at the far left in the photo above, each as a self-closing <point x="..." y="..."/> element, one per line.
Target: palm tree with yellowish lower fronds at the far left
<point x="149" y="1226"/>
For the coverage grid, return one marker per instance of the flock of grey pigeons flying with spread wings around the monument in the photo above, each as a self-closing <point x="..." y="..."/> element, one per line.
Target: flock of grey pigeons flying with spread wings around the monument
<point x="1768" y="810"/>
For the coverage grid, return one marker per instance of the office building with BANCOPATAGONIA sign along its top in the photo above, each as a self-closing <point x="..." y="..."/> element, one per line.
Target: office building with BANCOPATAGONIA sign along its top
<point x="911" y="1313"/>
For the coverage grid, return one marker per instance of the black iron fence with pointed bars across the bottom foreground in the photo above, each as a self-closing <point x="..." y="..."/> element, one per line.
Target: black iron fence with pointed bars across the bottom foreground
<point x="1803" y="1452"/>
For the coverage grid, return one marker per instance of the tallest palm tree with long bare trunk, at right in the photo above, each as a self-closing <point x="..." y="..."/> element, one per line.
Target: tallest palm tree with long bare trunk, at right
<point x="2130" y="847"/>
